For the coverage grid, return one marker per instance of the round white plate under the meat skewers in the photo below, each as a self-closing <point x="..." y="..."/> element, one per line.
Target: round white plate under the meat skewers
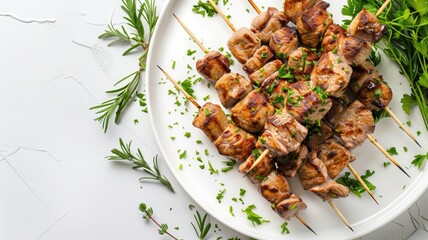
<point x="394" y="190"/>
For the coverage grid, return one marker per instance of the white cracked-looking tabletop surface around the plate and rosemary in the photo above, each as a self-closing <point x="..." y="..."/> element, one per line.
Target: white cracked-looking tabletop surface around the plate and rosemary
<point x="55" y="182"/>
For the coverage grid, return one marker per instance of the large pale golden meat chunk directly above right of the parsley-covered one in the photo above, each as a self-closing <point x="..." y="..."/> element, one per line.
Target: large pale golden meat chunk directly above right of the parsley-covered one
<point x="331" y="74"/>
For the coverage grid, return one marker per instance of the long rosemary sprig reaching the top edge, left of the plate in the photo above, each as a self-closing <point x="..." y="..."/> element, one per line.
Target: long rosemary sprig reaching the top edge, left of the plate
<point x="136" y="17"/>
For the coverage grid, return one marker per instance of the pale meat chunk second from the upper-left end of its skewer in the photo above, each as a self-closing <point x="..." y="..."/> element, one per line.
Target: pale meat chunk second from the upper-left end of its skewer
<point x="231" y="88"/>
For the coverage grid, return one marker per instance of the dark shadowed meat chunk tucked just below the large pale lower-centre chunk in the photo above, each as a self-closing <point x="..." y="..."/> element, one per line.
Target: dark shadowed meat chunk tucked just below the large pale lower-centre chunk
<point x="290" y="163"/>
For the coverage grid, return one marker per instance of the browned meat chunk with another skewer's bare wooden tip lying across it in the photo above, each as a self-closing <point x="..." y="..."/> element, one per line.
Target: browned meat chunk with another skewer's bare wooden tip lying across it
<point x="261" y="170"/>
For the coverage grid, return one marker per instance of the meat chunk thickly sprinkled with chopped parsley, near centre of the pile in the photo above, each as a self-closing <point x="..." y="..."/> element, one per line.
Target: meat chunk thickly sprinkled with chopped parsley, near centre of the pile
<point x="306" y="105"/>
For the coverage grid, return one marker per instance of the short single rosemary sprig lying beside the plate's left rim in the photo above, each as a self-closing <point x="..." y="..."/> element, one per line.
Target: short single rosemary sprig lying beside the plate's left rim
<point x="124" y="153"/>
